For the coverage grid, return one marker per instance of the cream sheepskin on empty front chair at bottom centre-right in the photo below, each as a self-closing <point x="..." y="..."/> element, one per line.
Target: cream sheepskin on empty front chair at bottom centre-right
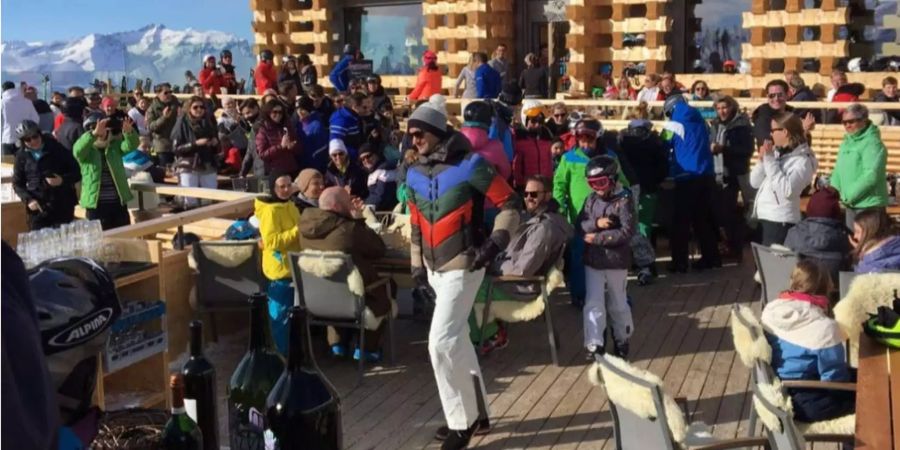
<point x="638" y="399"/>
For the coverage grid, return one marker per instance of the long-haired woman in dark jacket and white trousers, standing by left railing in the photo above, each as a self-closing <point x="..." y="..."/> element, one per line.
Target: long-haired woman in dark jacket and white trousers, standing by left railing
<point x="195" y="143"/>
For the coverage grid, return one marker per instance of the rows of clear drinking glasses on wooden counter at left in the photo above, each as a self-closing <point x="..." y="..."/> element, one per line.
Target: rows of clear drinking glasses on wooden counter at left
<point x="79" y="238"/>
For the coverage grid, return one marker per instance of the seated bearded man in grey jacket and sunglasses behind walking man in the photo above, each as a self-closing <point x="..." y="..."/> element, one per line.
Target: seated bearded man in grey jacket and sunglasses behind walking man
<point x="535" y="246"/>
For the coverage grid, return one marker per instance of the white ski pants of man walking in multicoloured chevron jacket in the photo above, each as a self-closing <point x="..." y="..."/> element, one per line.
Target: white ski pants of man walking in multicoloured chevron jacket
<point x="452" y="354"/>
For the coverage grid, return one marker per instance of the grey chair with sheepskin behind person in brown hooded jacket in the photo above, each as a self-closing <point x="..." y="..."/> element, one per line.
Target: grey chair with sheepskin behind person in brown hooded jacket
<point x="332" y="291"/>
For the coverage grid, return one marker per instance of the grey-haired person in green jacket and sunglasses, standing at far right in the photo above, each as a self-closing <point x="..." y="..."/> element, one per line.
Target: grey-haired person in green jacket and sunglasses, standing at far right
<point x="860" y="170"/>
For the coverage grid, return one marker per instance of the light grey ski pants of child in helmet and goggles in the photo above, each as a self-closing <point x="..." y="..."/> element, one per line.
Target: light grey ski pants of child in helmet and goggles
<point x="597" y="305"/>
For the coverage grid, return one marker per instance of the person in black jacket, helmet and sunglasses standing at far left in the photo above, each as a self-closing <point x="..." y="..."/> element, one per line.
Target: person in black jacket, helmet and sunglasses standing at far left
<point x="44" y="177"/>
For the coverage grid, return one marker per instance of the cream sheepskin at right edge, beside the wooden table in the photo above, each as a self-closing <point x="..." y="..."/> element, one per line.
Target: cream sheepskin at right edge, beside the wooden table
<point x="866" y="294"/>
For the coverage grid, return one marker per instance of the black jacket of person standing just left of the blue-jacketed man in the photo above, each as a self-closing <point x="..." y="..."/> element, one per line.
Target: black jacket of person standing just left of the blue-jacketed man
<point x="646" y="155"/>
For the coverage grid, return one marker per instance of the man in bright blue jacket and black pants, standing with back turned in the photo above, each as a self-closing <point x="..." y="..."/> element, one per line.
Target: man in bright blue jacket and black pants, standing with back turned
<point x="691" y="167"/>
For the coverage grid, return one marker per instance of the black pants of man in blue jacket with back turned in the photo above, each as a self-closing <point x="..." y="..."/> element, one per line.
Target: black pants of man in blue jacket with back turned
<point x="694" y="202"/>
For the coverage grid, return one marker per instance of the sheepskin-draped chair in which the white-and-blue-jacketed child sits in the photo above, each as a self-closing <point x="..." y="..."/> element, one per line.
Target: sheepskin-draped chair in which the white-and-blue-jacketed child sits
<point x="755" y="353"/>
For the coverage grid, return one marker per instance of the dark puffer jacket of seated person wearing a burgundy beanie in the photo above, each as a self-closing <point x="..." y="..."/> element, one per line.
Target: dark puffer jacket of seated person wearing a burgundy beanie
<point x="823" y="240"/>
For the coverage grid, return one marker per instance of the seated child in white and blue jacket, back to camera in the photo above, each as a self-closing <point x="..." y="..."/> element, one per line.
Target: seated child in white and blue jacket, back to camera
<point x="807" y="344"/>
